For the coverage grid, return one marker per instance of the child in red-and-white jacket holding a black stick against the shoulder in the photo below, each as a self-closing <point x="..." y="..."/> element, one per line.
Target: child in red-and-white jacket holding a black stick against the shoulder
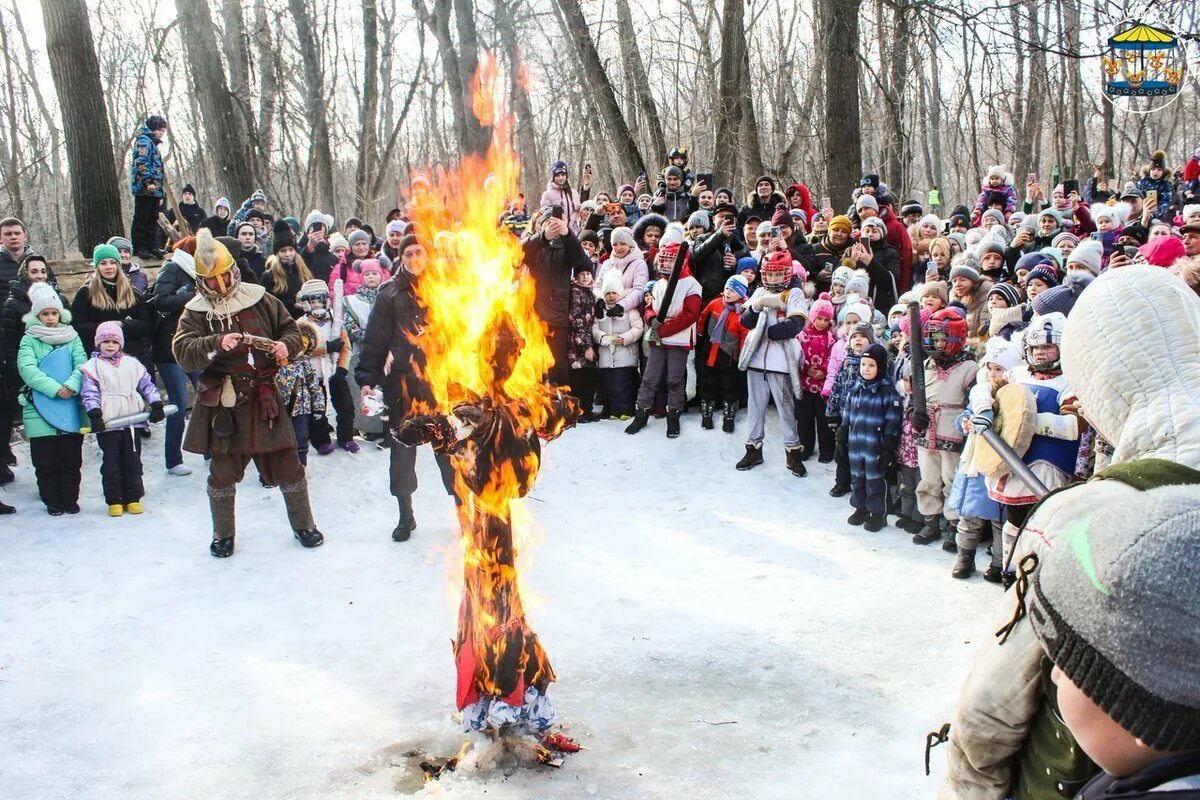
<point x="671" y="338"/>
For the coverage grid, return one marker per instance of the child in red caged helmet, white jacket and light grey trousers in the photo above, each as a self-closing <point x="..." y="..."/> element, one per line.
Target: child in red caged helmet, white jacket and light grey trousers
<point x="771" y="357"/>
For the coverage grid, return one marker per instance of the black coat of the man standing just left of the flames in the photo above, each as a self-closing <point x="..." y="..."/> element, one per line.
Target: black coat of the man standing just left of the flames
<point x="397" y="320"/>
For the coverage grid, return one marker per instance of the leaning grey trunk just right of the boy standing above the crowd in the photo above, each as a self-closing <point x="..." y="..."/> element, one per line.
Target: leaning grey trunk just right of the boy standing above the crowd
<point x="227" y="135"/>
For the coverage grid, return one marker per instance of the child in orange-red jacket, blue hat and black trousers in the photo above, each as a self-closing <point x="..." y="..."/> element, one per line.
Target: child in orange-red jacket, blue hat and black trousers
<point x="724" y="335"/>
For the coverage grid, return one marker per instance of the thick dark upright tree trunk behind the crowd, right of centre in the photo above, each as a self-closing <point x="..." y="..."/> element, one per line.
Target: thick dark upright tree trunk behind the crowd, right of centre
<point x="844" y="159"/>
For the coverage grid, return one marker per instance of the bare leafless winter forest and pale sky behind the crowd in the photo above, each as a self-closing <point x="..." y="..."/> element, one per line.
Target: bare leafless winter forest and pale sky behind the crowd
<point x="332" y="105"/>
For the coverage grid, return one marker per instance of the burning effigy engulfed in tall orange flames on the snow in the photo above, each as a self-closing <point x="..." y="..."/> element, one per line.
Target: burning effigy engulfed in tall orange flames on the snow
<point x="488" y="354"/>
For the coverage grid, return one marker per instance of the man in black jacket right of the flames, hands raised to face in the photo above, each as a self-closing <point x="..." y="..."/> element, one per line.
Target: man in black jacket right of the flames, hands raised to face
<point x="551" y="257"/>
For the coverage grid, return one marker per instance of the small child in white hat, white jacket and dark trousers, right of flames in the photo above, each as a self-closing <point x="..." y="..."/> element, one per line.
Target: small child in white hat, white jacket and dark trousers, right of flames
<point x="617" y="336"/>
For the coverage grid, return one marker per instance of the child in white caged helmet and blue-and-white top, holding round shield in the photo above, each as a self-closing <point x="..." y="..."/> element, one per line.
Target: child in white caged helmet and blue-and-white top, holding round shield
<point x="1055" y="446"/>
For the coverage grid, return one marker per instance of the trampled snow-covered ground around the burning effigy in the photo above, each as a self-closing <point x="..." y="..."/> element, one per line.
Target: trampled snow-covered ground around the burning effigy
<point x="717" y="635"/>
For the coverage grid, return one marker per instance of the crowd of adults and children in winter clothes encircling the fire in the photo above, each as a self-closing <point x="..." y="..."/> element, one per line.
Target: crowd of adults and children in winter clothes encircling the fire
<point x="889" y="338"/>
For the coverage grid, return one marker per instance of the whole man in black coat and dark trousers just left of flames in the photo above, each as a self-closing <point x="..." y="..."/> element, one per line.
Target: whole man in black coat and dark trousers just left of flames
<point x="397" y="321"/>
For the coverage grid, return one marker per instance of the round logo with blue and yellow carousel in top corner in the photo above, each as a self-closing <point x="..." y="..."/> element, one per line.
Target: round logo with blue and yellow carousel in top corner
<point x="1143" y="62"/>
